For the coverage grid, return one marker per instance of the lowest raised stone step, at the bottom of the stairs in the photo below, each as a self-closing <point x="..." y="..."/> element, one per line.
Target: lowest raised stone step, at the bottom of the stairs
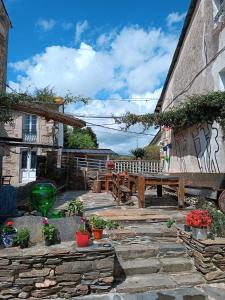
<point x="148" y="282"/>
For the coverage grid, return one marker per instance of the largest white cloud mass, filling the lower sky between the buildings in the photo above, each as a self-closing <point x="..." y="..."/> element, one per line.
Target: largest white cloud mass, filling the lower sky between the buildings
<point x="132" y="63"/>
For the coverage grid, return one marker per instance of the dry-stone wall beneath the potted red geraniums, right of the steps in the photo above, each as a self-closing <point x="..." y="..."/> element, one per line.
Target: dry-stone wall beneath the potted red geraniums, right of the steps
<point x="208" y="255"/>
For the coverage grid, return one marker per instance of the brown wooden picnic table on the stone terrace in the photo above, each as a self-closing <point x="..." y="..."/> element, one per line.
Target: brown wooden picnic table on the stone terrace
<point x="143" y="180"/>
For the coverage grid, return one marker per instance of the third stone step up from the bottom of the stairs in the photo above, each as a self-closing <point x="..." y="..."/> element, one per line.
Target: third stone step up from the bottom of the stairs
<point x="133" y="251"/>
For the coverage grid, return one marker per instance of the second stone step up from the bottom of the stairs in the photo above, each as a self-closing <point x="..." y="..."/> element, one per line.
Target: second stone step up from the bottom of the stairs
<point x="155" y="265"/>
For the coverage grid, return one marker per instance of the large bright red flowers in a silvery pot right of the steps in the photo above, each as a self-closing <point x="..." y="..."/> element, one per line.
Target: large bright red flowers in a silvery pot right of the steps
<point x="199" y="220"/>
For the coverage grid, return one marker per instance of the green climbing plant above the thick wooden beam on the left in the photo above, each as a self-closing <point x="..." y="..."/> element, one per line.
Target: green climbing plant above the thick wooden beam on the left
<point x="40" y="96"/>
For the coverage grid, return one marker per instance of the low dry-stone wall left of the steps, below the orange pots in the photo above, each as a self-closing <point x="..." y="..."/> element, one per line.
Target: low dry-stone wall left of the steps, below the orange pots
<point x="63" y="270"/>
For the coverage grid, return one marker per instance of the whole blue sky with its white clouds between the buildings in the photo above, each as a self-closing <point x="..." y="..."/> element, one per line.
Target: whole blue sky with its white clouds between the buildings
<point x="101" y="49"/>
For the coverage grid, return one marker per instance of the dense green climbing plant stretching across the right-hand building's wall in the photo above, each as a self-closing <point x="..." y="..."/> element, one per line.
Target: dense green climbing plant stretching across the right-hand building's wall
<point x="196" y="109"/>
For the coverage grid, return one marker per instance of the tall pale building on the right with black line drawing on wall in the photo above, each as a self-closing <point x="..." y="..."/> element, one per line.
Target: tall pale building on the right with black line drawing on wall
<point x="198" y="66"/>
